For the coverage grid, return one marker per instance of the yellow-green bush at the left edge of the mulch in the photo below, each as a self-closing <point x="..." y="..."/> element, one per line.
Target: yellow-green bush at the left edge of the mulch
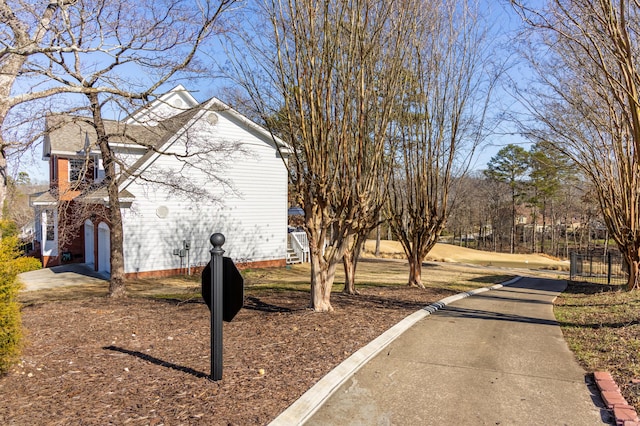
<point x="10" y="324"/>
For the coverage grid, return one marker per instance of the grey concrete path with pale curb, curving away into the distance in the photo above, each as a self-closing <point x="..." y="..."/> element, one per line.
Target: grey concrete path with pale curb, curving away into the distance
<point x="497" y="358"/>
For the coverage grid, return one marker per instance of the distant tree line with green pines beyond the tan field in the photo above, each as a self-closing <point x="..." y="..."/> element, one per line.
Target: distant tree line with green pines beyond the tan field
<point x="527" y="201"/>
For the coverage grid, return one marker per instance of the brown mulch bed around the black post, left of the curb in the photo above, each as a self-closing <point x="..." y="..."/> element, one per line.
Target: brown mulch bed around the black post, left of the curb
<point x="145" y="361"/>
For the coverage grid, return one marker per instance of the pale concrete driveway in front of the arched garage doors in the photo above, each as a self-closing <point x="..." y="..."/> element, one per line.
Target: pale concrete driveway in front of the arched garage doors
<point x="60" y="276"/>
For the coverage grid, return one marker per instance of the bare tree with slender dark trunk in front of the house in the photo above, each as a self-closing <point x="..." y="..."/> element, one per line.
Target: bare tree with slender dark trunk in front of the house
<point x="114" y="53"/>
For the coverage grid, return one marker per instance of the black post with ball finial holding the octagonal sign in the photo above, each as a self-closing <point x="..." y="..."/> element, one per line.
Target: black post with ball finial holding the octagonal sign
<point x="217" y="240"/>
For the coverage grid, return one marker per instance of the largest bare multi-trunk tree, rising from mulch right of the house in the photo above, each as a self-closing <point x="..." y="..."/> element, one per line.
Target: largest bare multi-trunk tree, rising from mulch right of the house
<point x="331" y="74"/>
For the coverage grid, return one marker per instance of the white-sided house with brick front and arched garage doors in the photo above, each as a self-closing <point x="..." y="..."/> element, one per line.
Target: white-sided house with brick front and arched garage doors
<point x="165" y="231"/>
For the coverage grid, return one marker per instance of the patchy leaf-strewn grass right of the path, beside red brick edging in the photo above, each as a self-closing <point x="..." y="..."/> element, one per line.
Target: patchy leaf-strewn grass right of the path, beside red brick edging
<point x="601" y="324"/>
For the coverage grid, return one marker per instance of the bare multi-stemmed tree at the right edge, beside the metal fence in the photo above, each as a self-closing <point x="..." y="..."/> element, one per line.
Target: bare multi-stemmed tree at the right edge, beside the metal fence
<point x="588" y="103"/>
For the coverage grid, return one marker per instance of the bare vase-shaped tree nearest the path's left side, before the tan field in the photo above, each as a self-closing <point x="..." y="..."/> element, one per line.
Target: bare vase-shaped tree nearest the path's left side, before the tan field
<point x="440" y="123"/>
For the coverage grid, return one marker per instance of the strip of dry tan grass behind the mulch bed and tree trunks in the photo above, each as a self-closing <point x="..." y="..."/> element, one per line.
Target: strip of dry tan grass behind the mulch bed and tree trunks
<point x="446" y="266"/>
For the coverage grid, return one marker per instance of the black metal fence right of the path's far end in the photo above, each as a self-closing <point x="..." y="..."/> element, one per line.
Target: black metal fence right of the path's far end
<point x="609" y="268"/>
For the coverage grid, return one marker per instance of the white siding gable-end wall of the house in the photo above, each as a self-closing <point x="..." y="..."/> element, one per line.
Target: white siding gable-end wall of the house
<point x="253" y="217"/>
